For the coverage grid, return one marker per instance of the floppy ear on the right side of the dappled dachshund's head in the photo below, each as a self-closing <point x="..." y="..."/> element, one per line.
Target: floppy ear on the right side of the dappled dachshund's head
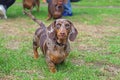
<point x="73" y="32"/>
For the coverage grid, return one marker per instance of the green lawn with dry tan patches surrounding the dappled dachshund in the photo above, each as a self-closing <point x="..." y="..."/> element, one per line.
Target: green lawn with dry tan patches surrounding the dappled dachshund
<point x="95" y="54"/>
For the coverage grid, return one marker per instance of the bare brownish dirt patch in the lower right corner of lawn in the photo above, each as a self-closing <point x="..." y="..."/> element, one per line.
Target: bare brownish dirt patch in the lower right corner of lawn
<point x="107" y="69"/>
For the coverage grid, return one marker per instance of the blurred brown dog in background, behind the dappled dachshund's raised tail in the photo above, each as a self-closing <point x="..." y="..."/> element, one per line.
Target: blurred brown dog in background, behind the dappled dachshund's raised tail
<point x="30" y="4"/>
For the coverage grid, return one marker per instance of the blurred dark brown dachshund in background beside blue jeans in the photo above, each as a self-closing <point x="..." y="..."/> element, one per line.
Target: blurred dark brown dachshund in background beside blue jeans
<point x="55" y="8"/>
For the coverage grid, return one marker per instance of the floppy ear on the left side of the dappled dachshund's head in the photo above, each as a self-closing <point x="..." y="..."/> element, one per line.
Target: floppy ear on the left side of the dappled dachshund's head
<point x="51" y="30"/>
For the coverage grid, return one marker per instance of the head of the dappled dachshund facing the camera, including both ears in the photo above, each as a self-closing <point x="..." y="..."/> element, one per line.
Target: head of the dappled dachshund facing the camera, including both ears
<point x="62" y="30"/>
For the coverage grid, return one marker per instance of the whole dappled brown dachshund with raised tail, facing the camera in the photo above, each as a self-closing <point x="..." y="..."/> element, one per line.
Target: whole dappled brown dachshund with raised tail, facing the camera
<point x="53" y="40"/>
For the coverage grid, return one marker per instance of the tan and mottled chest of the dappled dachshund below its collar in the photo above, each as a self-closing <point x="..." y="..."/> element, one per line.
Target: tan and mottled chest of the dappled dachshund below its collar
<point x="56" y="53"/>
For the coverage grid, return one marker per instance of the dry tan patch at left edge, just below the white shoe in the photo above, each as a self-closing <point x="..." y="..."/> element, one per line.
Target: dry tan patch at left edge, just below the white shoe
<point x="16" y="28"/>
